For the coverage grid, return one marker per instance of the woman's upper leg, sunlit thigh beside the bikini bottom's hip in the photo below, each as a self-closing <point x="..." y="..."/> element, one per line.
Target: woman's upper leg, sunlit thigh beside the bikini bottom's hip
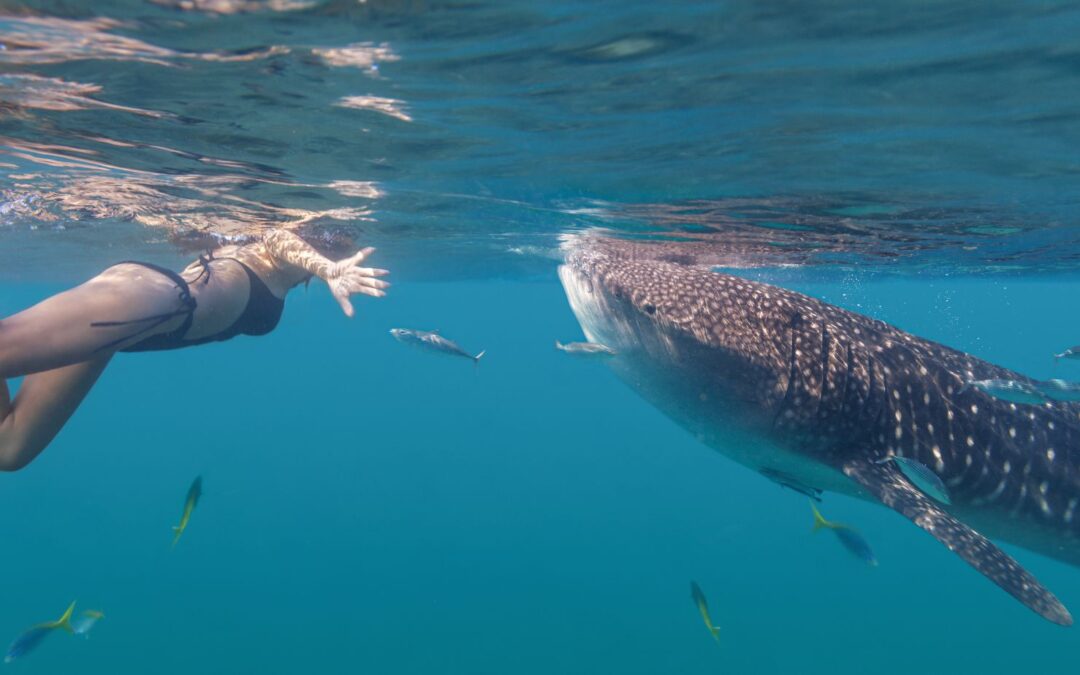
<point x="60" y="331"/>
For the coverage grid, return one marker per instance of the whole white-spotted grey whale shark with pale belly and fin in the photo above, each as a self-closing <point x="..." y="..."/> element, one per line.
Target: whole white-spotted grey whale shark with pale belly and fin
<point x="782" y="383"/>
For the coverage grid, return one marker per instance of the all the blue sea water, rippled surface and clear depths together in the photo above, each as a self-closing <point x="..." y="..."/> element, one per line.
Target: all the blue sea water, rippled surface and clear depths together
<point x="372" y="508"/>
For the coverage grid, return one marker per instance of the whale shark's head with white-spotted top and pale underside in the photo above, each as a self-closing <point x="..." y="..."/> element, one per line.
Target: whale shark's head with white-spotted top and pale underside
<point x="698" y="345"/>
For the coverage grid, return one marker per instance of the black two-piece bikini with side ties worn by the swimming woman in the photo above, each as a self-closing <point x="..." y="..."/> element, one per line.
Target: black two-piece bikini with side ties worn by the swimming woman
<point x="261" y="315"/>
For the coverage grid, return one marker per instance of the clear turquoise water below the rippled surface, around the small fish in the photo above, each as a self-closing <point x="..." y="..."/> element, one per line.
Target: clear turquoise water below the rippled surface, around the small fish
<point x="374" y="508"/>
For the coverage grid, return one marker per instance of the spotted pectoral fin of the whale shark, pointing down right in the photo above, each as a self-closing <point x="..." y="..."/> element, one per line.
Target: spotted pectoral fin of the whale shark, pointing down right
<point x="886" y="483"/>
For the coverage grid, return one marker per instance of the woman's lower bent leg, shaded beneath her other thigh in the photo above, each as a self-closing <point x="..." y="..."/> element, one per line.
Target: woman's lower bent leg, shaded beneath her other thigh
<point x="42" y="408"/>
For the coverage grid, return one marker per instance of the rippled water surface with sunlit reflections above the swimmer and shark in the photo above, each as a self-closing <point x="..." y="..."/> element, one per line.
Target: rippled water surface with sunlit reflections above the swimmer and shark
<point x="463" y="139"/>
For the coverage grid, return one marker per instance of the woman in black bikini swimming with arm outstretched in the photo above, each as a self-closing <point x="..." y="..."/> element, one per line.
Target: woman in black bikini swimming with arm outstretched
<point x="62" y="345"/>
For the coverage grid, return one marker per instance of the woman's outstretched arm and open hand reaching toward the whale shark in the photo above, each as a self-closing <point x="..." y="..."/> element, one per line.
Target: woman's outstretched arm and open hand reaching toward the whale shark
<point x="296" y="260"/>
